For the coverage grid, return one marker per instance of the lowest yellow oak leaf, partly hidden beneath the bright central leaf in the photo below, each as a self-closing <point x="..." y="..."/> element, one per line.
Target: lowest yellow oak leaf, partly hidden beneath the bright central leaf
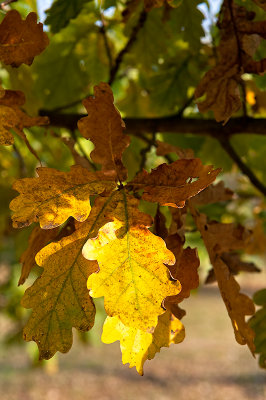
<point x="138" y="346"/>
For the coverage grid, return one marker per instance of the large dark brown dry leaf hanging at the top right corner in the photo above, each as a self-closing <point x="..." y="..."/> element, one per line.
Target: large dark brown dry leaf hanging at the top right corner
<point x="240" y="37"/>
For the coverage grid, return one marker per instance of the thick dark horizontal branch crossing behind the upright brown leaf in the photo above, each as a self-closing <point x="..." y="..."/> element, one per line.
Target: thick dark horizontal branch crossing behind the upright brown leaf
<point x="172" y="124"/>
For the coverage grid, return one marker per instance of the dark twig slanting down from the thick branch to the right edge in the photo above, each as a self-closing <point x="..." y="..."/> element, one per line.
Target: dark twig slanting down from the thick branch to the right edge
<point x="225" y="143"/>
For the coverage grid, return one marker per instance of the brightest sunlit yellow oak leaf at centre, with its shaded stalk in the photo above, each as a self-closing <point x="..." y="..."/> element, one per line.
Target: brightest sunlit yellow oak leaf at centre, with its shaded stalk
<point x="132" y="277"/>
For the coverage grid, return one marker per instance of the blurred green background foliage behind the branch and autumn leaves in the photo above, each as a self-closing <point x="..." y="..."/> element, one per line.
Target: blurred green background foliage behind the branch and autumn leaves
<point x="157" y="77"/>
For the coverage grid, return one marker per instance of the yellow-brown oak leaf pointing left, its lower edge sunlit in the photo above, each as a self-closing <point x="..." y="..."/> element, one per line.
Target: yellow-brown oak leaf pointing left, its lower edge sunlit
<point x="55" y="196"/>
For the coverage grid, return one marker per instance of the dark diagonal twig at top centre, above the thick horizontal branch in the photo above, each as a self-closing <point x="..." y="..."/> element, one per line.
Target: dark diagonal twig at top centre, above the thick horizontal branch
<point x="125" y="50"/>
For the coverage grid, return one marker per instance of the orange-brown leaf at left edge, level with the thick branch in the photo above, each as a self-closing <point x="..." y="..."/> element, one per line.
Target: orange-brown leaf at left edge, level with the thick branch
<point x="12" y="117"/>
